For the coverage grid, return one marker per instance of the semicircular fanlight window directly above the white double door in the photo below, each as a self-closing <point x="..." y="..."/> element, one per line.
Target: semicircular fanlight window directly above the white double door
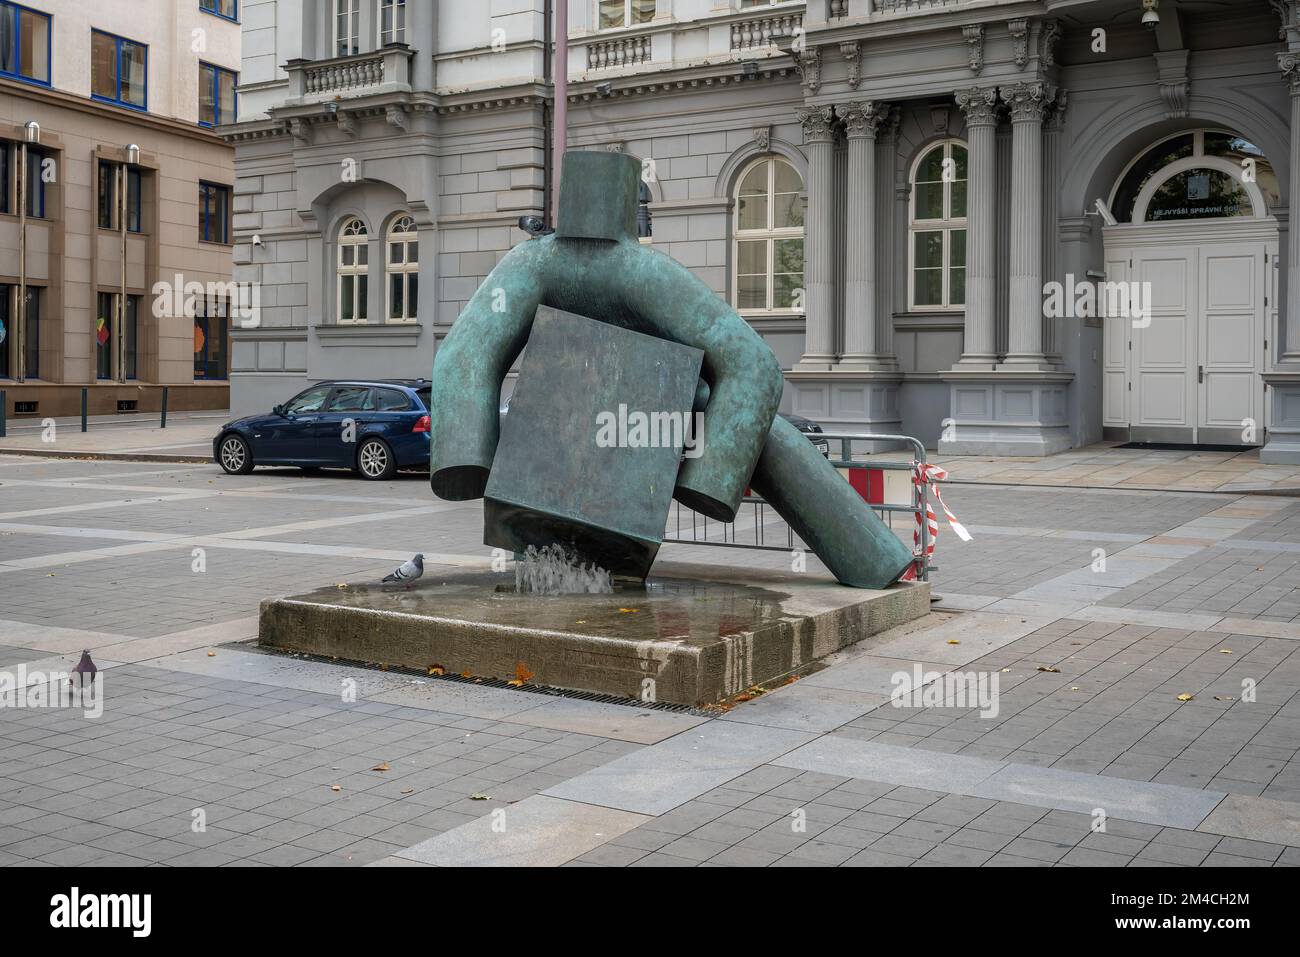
<point x="1207" y="175"/>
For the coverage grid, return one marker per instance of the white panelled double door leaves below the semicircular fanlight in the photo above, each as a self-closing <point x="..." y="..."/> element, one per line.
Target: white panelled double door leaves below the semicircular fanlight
<point x="1193" y="365"/>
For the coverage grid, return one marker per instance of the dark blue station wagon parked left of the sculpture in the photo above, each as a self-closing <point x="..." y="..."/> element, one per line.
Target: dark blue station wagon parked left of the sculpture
<point x="374" y="427"/>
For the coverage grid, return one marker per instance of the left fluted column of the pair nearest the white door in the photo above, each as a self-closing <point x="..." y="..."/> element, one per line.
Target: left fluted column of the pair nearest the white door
<point x="981" y="109"/>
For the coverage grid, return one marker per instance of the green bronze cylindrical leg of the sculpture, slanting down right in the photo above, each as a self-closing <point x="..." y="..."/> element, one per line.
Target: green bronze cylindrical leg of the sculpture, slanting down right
<point x="826" y="512"/>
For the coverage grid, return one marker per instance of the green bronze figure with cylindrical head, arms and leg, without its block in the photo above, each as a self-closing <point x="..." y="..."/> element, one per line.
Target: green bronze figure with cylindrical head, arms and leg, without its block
<point x="593" y="266"/>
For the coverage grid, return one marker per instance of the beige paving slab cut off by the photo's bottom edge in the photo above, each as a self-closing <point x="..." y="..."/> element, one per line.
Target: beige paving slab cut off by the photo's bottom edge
<point x="538" y="833"/>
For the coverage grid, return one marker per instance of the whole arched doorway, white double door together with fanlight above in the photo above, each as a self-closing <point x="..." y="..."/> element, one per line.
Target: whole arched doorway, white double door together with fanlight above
<point x="1195" y="246"/>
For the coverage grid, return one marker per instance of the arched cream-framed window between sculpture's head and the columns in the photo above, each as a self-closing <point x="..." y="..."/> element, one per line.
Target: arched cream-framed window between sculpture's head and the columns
<point x="768" y="239"/>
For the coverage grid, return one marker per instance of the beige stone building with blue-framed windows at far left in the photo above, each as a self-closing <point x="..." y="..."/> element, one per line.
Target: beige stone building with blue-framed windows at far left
<point x="115" y="192"/>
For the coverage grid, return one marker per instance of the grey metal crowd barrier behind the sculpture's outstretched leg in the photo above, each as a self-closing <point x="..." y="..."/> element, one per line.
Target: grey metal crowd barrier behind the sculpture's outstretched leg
<point x="695" y="529"/>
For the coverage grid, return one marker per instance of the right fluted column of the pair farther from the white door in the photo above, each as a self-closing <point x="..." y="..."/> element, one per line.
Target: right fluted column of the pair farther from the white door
<point x="861" y="123"/>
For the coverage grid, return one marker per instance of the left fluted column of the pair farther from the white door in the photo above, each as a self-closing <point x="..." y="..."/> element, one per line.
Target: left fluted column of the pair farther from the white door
<point x="820" y="240"/>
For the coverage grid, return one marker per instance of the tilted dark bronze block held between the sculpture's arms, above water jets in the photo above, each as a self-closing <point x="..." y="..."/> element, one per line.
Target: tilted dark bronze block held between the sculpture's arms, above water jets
<point x="591" y="447"/>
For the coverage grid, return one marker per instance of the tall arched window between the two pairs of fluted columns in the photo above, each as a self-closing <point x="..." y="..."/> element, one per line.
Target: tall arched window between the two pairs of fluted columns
<point x="938" y="249"/>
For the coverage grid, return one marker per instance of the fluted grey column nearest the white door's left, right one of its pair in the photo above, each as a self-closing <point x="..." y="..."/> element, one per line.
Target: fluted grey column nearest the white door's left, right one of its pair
<point x="1029" y="105"/>
